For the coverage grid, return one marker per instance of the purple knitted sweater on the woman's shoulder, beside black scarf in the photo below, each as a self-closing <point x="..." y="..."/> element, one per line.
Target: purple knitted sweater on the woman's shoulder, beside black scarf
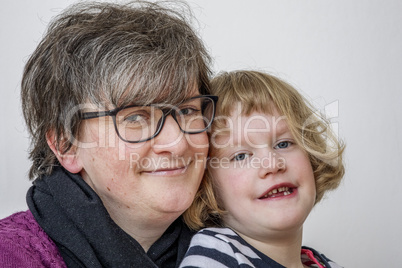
<point x="23" y="243"/>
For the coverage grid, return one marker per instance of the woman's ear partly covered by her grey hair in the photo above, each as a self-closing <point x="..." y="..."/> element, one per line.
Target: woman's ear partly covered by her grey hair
<point x="69" y="160"/>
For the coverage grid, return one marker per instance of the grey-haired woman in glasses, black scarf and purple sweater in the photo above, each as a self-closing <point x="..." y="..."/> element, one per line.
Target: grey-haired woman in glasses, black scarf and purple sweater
<point x="115" y="101"/>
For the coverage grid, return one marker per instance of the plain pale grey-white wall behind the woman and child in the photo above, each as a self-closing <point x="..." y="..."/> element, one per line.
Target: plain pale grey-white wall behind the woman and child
<point x="345" y="56"/>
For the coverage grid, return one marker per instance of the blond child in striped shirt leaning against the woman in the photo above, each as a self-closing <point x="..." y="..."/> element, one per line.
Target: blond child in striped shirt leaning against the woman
<point x="271" y="160"/>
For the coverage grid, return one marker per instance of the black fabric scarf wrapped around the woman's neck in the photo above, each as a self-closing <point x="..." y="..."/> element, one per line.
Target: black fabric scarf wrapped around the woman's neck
<point x="73" y="216"/>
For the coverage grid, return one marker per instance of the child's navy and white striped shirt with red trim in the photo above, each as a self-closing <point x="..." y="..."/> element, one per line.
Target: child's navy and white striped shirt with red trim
<point x="222" y="248"/>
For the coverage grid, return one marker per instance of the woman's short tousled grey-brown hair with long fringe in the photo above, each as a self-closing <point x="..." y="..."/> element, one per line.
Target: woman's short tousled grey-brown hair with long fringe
<point x="108" y="55"/>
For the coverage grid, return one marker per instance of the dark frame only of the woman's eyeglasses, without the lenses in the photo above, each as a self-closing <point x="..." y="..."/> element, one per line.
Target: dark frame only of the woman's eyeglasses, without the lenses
<point x="165" y="113"/>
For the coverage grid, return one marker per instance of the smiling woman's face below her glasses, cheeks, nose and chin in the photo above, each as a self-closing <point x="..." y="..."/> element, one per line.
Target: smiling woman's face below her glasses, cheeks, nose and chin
<point x="153" y="181"/>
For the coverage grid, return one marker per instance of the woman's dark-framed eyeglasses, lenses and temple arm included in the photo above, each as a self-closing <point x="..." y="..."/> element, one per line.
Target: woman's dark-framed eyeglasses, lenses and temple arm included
<point x="137" y="123"/>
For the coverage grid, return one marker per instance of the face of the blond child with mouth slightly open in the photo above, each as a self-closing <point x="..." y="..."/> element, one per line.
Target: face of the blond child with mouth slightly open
<point x="264" y="180"/>
